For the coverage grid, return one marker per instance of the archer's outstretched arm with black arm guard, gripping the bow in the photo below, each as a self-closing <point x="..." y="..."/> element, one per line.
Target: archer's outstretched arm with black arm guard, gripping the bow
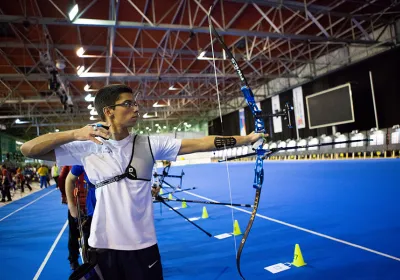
<point x="212" y="143"/>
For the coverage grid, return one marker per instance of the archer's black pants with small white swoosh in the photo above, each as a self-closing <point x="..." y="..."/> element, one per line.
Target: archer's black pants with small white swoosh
<point x="142" y="264"/>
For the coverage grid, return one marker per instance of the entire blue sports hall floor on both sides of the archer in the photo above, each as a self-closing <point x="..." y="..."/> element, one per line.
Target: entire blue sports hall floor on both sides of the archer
<point x="345" y="201"/>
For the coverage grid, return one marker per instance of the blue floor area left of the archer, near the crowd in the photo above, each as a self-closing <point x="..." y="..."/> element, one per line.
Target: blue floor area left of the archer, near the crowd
<point x="27" y="235"/>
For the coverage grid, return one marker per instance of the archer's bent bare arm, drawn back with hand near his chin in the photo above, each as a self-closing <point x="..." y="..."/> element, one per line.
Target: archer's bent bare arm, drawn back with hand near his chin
<point x="42" y="147"/>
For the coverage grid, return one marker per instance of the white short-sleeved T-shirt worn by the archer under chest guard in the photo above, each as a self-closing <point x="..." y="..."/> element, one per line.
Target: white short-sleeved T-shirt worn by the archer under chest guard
<point x="123" y="216"/>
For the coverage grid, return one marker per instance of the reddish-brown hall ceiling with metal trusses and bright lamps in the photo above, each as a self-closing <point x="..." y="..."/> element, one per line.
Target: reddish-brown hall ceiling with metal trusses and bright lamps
<point x="52" y="62"/>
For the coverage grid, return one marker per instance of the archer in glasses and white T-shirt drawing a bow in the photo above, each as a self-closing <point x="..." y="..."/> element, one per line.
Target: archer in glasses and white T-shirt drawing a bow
<point x="119" y="164"/>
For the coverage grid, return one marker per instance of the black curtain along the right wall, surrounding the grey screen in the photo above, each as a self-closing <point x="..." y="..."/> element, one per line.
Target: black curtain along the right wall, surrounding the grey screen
<point x="387" y="98"/>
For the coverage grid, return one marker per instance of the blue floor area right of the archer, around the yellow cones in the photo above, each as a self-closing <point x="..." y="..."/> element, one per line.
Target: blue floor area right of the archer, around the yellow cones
<point x="356" y="201"/>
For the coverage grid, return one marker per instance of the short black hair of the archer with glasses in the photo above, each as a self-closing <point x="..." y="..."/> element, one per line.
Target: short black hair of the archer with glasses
<point x="107" y="96"/>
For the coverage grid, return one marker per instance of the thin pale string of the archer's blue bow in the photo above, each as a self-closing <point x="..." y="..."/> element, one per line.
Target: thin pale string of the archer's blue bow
<point x="225" y="154"/>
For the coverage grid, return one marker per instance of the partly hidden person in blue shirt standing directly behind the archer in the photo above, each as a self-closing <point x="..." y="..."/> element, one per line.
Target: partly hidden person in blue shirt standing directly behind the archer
<point x="70" y="185"/>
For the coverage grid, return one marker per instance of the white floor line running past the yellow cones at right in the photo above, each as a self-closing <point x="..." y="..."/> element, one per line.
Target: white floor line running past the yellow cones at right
<point x="306" y="230"/>
